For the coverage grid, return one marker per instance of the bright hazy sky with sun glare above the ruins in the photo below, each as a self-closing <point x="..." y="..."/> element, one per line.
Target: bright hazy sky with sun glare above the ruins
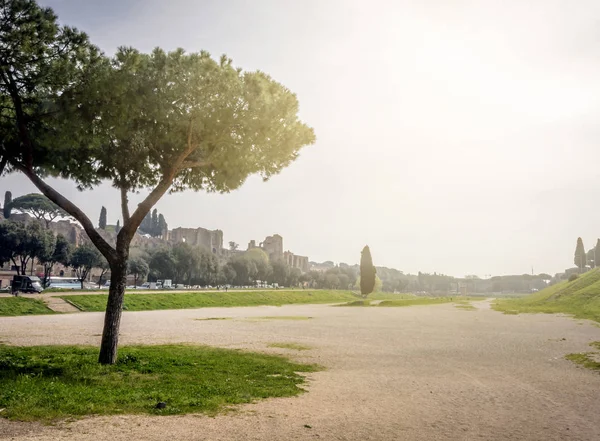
<point x="453" y="136"/>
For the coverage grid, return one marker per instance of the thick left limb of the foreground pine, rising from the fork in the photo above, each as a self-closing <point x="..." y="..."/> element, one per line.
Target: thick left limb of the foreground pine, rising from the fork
<point x="103" y="246"/>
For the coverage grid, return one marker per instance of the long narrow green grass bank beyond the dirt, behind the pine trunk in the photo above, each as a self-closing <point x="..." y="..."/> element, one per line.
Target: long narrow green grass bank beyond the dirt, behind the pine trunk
<point x="149" y="302"/>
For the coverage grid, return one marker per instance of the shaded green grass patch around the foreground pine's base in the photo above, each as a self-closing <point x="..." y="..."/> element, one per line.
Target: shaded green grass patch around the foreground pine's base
<point x="54" y="382"/>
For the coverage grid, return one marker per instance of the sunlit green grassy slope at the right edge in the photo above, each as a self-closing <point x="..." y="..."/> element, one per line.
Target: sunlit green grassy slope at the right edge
<point x="580" y="298"/>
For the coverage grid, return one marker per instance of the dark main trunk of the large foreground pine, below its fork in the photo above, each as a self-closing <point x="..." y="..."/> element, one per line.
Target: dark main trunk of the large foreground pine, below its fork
<point x="114" y="307"/>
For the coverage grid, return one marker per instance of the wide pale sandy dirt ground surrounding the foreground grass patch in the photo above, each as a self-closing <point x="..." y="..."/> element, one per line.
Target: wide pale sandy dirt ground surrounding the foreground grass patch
<point x="414" y="373"/>
